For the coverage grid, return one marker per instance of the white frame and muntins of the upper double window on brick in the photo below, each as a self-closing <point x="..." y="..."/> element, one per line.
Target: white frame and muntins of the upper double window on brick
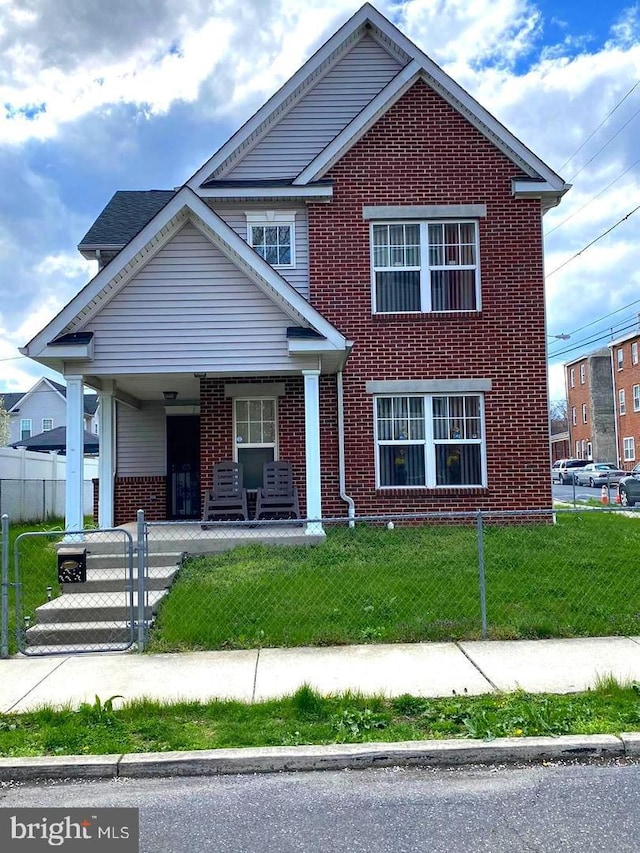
<point x="425" y="268"/>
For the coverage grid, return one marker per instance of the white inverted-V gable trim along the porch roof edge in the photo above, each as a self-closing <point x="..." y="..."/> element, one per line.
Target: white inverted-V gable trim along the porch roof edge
<point x="185" y="205"/>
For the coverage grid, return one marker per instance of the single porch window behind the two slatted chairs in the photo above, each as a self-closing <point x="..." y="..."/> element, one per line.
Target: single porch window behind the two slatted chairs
<point x="256" y="436"/>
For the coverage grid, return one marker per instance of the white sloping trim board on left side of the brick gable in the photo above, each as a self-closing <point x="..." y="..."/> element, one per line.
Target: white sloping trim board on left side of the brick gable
<point x="361" y="123"/>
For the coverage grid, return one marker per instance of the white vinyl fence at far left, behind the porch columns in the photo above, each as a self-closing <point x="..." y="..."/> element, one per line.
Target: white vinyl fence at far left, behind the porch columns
<point x="32" y="485"/>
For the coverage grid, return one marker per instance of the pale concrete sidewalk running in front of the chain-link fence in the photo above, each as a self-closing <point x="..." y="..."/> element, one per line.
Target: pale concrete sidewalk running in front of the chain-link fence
<point x="421" y="669"/>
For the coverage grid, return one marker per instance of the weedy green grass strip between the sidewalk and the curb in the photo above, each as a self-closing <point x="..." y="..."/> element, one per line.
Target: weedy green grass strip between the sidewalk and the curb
<point x="308" y="718"/>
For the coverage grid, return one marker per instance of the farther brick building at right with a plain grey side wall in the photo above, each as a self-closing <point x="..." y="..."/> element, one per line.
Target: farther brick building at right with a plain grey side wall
<point x="591" y="415"/>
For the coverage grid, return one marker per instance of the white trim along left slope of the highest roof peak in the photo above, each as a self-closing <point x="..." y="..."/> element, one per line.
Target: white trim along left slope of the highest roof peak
<point x="276" y="101"/>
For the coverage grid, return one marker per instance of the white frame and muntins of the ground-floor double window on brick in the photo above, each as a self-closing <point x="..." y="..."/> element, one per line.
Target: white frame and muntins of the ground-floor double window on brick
<point x="429" y="444"/>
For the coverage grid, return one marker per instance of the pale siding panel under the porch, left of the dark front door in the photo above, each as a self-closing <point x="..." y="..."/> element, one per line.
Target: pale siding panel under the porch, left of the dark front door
<point x="141" y="442"/>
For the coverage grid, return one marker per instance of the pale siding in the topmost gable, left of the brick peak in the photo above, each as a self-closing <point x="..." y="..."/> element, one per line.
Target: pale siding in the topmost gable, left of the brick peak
<point x="329" y="106"/>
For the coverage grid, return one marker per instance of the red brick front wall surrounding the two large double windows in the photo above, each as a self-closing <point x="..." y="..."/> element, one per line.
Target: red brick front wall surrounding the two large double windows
<point x="423" y="152"/>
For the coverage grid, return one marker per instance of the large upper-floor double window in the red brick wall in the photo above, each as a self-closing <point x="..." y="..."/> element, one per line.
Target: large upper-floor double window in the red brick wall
<point x="425" y="266"/>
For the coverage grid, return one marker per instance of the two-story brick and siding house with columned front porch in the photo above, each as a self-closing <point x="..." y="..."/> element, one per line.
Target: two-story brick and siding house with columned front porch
<point x="346" y="284"/>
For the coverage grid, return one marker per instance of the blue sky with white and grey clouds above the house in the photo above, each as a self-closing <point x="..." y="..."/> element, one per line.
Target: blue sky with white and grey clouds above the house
<point x="136" y="94"/>
